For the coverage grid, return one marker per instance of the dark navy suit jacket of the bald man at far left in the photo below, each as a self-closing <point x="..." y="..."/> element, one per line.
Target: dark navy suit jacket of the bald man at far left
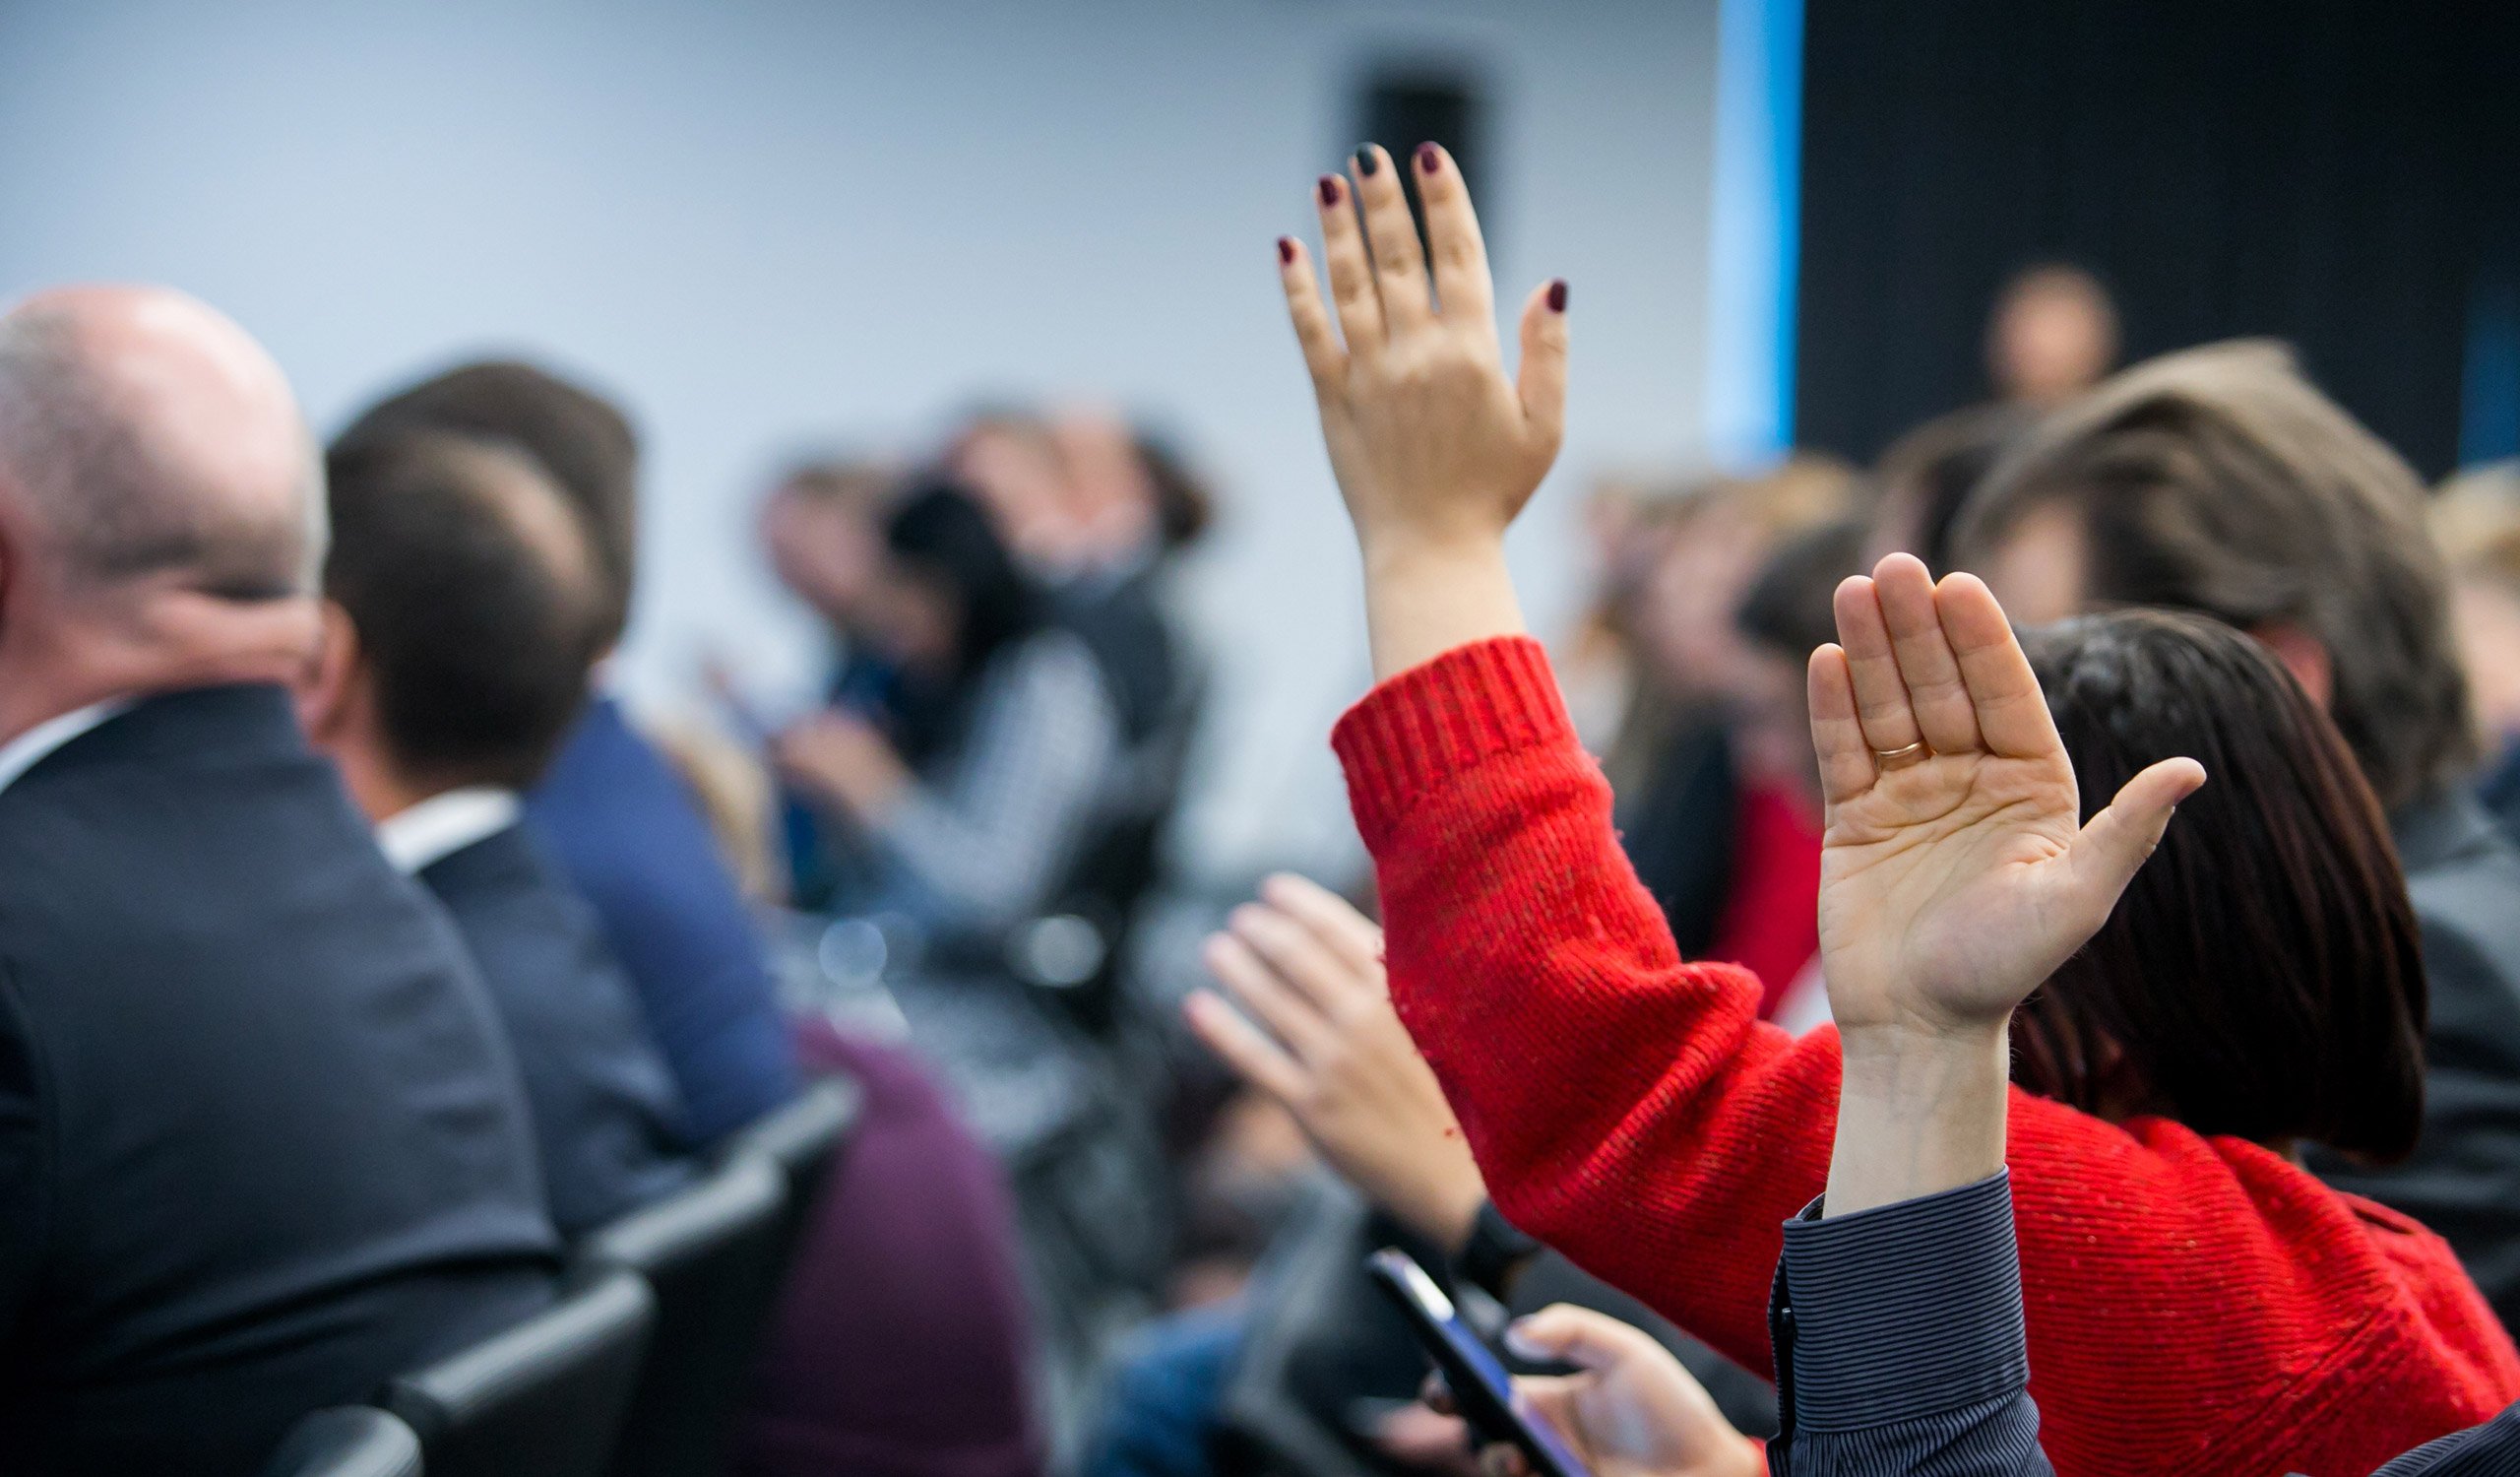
<point x="261" y="1135"/>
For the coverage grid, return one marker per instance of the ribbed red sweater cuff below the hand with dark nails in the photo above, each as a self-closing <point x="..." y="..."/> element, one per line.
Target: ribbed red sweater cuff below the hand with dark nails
<point x="1430" y="725"/>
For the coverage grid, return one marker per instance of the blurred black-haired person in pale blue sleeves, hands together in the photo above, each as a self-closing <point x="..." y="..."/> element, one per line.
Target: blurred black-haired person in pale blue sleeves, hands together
<point x="969" y="790"/>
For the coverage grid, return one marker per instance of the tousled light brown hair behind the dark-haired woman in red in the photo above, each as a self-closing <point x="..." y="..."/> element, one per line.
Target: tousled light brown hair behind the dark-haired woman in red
<point x="2224" y="483"/>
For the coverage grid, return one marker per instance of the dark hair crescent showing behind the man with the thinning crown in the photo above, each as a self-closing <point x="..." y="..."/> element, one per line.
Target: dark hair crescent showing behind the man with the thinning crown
<point x="581" y="440"/>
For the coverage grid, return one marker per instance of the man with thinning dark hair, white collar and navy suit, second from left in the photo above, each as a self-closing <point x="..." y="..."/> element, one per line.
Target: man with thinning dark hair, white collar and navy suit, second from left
<point x="460" y="629"/>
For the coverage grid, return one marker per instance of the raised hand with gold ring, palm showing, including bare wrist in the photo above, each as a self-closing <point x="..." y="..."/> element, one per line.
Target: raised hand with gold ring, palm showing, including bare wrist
<point x="1957" y="871"/>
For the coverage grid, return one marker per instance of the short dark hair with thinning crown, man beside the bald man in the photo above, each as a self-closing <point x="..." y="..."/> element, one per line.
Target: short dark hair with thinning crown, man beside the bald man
<point x="478" y="599"/>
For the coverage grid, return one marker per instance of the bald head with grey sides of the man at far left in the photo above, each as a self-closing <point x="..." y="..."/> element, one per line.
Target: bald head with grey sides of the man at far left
<point x="147" y="437"/>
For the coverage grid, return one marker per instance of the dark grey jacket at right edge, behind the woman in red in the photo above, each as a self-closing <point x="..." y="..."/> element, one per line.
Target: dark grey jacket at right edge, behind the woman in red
<point x="2463" y="1178"/>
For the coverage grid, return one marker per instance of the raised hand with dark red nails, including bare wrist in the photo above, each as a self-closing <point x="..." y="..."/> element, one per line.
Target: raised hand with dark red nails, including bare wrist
<point x="1433" y="445"/>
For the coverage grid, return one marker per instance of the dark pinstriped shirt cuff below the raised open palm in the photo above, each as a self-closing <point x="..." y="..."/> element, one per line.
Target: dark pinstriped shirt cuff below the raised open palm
<point x="1906" y="1309"/>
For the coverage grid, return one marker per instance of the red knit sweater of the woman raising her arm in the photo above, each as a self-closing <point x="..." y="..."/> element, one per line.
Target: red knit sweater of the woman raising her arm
<point x="2194" y="1304"/>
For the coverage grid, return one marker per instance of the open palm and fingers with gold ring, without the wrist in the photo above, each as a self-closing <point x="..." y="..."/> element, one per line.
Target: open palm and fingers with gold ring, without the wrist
<point x="1957" y="871"/>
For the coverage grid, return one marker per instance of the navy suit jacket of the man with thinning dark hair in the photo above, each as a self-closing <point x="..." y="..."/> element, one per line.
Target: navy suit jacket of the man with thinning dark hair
<point x="606" y="1113"/>
